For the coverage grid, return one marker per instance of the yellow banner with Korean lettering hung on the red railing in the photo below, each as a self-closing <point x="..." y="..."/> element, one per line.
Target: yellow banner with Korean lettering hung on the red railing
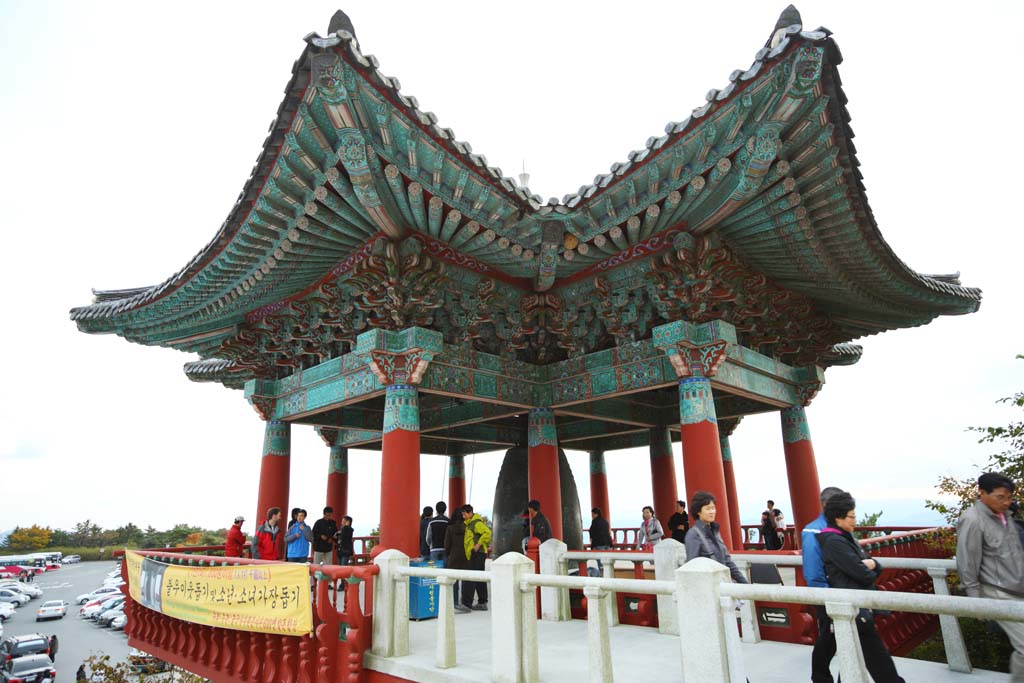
<point x="263" y="599"/>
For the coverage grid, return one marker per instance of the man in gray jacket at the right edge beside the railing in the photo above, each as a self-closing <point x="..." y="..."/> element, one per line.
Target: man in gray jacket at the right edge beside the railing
<point x="990" y="556"/>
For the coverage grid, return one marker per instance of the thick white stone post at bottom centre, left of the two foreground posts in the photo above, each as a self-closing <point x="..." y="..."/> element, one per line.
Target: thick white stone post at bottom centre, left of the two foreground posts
<point x="508" y="651"/>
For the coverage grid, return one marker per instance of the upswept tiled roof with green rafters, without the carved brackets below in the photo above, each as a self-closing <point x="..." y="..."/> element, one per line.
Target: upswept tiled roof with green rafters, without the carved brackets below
<point x="822" y="244"/>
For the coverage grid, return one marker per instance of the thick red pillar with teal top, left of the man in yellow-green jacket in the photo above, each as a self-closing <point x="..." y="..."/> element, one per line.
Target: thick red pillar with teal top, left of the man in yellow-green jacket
<point x="401" y="471"/>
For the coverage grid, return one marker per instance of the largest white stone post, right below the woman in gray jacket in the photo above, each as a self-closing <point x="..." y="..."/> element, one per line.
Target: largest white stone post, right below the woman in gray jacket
<point x="702" y="633"/>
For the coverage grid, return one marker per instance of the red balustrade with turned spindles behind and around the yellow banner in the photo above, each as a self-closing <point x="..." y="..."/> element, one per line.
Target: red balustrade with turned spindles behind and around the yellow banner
<point x="333" y="654"/>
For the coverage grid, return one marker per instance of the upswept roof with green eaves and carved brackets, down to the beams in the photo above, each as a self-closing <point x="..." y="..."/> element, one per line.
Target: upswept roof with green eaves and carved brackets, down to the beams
<point x="752" y="210"/>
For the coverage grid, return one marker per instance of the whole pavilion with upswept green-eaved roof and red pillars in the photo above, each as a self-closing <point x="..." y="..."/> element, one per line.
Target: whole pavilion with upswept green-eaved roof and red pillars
<point x="377" y="280"/>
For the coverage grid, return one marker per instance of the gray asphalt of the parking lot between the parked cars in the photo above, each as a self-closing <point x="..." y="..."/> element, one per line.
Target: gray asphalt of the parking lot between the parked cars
<point x="78" y="639"/>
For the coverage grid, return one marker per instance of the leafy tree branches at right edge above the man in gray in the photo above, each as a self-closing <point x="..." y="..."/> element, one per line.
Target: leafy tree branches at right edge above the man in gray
<point x="1009" y="461"/>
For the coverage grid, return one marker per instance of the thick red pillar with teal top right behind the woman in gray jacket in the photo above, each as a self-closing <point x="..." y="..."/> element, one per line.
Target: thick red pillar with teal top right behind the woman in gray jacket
<point x="702" y="451"/>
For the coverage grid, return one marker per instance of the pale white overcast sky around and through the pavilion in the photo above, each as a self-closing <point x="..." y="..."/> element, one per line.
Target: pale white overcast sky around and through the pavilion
<point x="129" y="130"/>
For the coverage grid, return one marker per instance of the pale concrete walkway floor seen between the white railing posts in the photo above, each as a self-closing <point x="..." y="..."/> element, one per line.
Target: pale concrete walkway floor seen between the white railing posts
<point x="638" y="655"/>
